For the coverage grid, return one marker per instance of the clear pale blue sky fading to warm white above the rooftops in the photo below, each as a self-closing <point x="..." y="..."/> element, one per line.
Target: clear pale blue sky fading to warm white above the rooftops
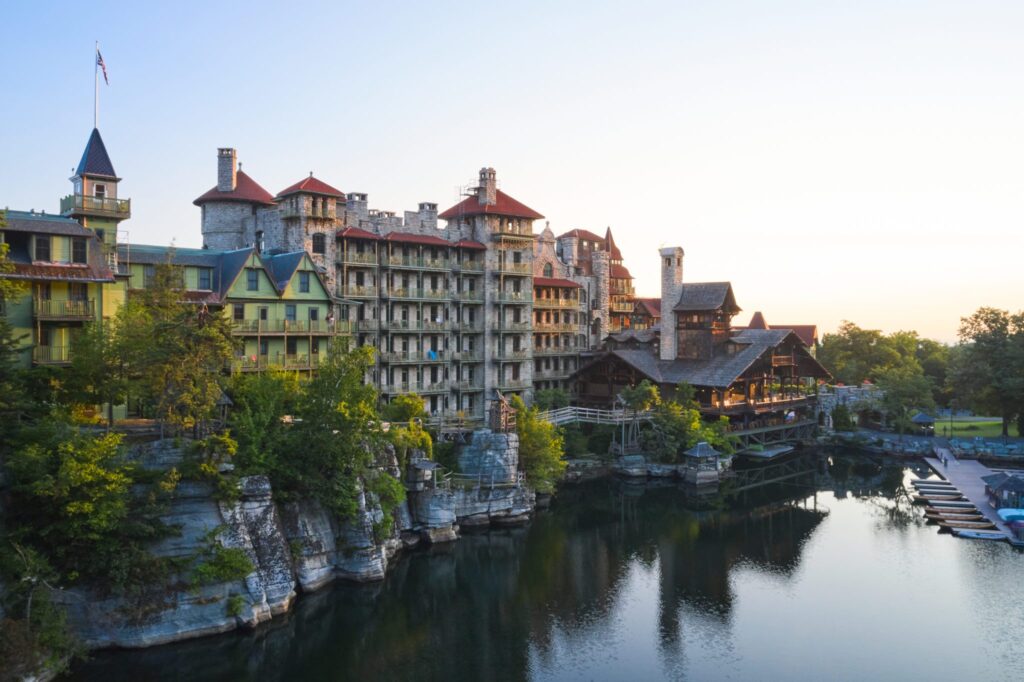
<point x="860" y="161"/>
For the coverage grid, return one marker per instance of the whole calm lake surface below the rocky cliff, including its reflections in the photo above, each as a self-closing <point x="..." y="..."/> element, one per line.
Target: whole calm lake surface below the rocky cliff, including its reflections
<point x="831" y="576"/>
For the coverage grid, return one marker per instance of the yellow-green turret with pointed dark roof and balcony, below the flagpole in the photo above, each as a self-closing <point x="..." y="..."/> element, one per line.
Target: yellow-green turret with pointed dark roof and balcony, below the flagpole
<point x="95" y="201"/>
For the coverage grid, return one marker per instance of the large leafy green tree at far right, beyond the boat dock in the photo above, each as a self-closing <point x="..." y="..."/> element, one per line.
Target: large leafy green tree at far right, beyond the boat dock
<point x="988" y="369"/>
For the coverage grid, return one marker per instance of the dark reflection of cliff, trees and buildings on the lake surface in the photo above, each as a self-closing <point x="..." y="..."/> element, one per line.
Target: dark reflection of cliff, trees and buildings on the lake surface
<point x="475" y="610"/>
